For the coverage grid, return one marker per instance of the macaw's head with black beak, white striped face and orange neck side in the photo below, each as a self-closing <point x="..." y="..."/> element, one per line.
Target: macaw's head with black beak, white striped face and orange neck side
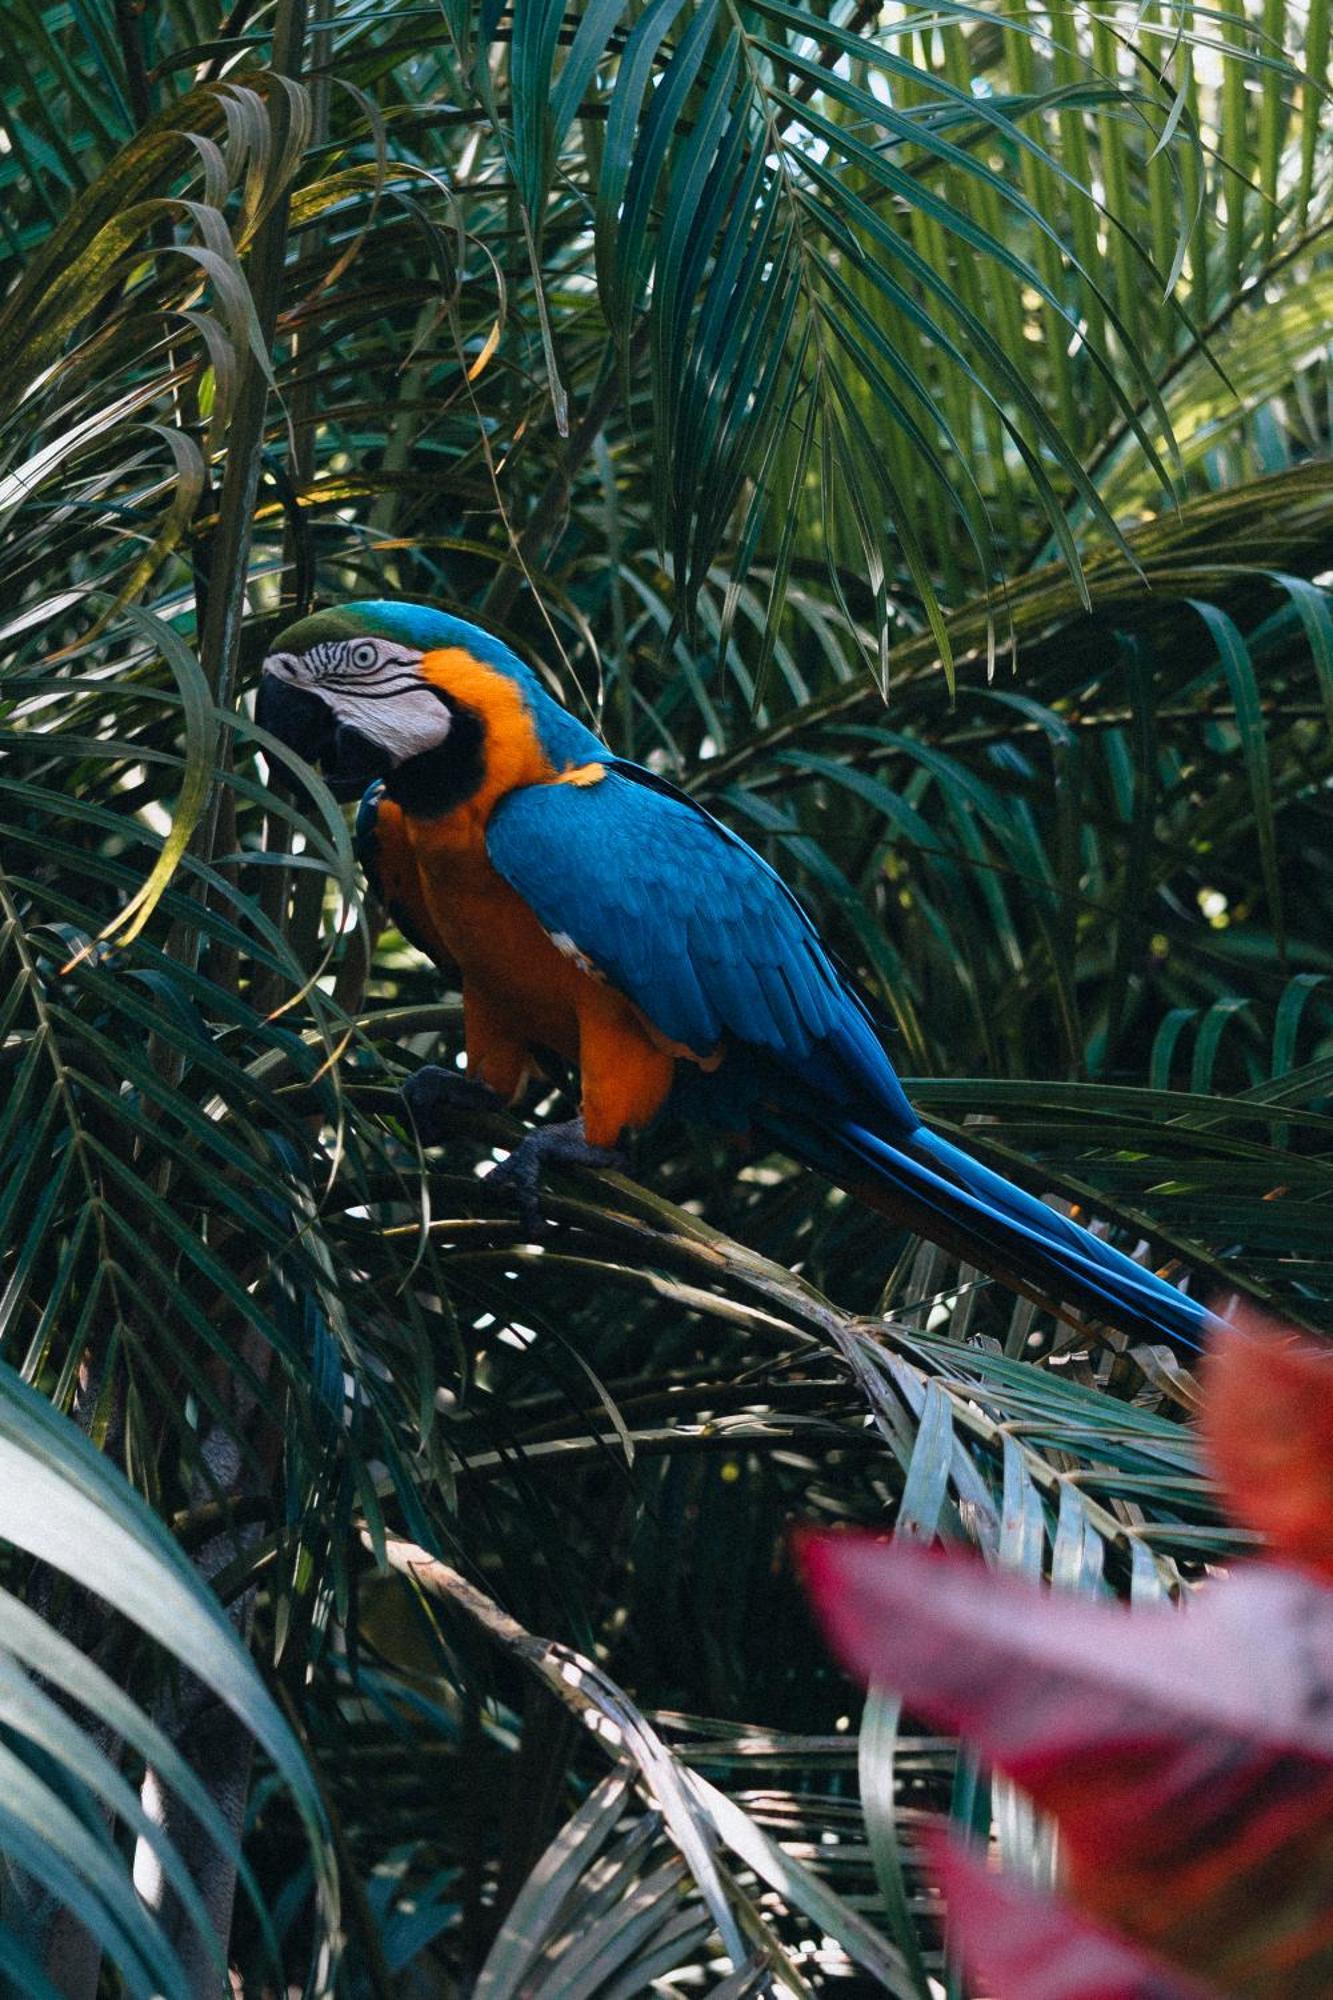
<point x="431" y="705"/>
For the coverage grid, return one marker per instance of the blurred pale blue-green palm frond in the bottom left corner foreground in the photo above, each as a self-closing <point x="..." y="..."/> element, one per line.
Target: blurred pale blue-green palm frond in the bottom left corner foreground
<point x="71" y="1723"/>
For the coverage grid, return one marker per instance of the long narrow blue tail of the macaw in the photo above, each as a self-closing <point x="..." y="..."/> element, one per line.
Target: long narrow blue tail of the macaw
<point x="992" y="1223"/>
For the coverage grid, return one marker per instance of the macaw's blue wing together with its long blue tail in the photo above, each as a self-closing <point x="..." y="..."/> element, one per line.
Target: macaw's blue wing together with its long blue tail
<point x="700" y="933"/>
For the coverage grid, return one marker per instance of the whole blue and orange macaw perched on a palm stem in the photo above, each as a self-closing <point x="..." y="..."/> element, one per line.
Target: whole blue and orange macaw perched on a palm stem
<point x="595" y="911"/>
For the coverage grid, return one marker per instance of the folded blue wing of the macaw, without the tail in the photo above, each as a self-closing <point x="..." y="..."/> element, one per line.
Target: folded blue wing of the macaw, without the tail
<point x="692" y="925"/>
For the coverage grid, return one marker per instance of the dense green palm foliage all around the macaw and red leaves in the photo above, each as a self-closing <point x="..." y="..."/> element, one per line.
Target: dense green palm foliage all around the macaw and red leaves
<point x="910" y="427"/>
